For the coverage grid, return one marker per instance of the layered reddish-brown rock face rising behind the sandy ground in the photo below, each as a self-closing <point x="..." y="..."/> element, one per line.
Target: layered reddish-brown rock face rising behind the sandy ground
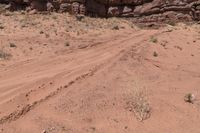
<point x="147" y="9"/>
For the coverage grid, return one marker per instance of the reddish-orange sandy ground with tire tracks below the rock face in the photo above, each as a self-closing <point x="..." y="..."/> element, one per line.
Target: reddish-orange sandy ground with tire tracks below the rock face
<point x="48" y="86"/>
